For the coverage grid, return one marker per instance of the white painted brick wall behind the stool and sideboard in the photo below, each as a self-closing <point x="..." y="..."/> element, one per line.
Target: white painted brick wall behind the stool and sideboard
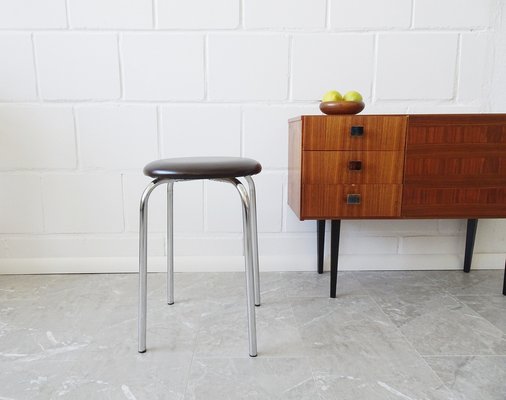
<point x="92" y="90"/>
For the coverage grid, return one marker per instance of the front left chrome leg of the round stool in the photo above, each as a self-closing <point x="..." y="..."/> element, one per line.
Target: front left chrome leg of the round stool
<point x="143" y="263"/>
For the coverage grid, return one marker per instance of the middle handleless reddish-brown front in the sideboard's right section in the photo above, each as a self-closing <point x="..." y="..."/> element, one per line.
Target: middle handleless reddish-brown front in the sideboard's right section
<point x="470" y="168"/>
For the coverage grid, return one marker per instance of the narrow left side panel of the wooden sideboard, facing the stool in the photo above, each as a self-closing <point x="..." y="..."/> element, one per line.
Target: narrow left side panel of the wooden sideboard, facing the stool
<point x="294" y="165"/>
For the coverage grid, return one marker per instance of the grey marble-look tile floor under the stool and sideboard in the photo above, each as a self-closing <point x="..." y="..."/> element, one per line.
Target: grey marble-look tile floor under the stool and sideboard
<point x="433" y="335"/>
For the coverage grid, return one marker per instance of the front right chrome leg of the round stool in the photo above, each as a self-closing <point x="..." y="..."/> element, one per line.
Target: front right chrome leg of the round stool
<point x="250" y="296"/>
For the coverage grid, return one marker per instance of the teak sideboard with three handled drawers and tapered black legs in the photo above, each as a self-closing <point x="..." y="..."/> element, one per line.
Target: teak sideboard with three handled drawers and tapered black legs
<point x="396" y="166"/>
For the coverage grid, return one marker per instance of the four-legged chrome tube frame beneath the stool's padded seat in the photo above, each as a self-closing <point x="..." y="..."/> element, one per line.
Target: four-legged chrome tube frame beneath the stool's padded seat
<point x="248" y="199"/>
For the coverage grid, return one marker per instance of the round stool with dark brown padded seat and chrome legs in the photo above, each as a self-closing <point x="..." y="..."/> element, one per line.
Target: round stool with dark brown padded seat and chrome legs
<point x="224" y="169"/>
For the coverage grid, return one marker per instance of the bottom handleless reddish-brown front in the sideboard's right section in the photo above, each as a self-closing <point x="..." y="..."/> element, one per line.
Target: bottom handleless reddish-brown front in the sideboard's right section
<point x="452" y="202"/>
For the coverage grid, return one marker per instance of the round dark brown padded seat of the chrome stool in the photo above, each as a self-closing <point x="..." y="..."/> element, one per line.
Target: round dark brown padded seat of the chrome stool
<point x="202" y="168"/>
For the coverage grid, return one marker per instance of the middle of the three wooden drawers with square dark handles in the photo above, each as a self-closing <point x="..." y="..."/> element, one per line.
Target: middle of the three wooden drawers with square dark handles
<point x="335" y="167"/>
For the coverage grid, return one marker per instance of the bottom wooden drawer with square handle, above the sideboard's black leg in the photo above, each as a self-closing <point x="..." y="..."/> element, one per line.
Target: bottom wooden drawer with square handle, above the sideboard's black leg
<point x="350" y="201"/>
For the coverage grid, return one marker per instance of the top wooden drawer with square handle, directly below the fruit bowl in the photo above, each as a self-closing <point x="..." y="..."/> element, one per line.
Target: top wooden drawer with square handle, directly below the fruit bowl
<point x="353" y="132"/>
